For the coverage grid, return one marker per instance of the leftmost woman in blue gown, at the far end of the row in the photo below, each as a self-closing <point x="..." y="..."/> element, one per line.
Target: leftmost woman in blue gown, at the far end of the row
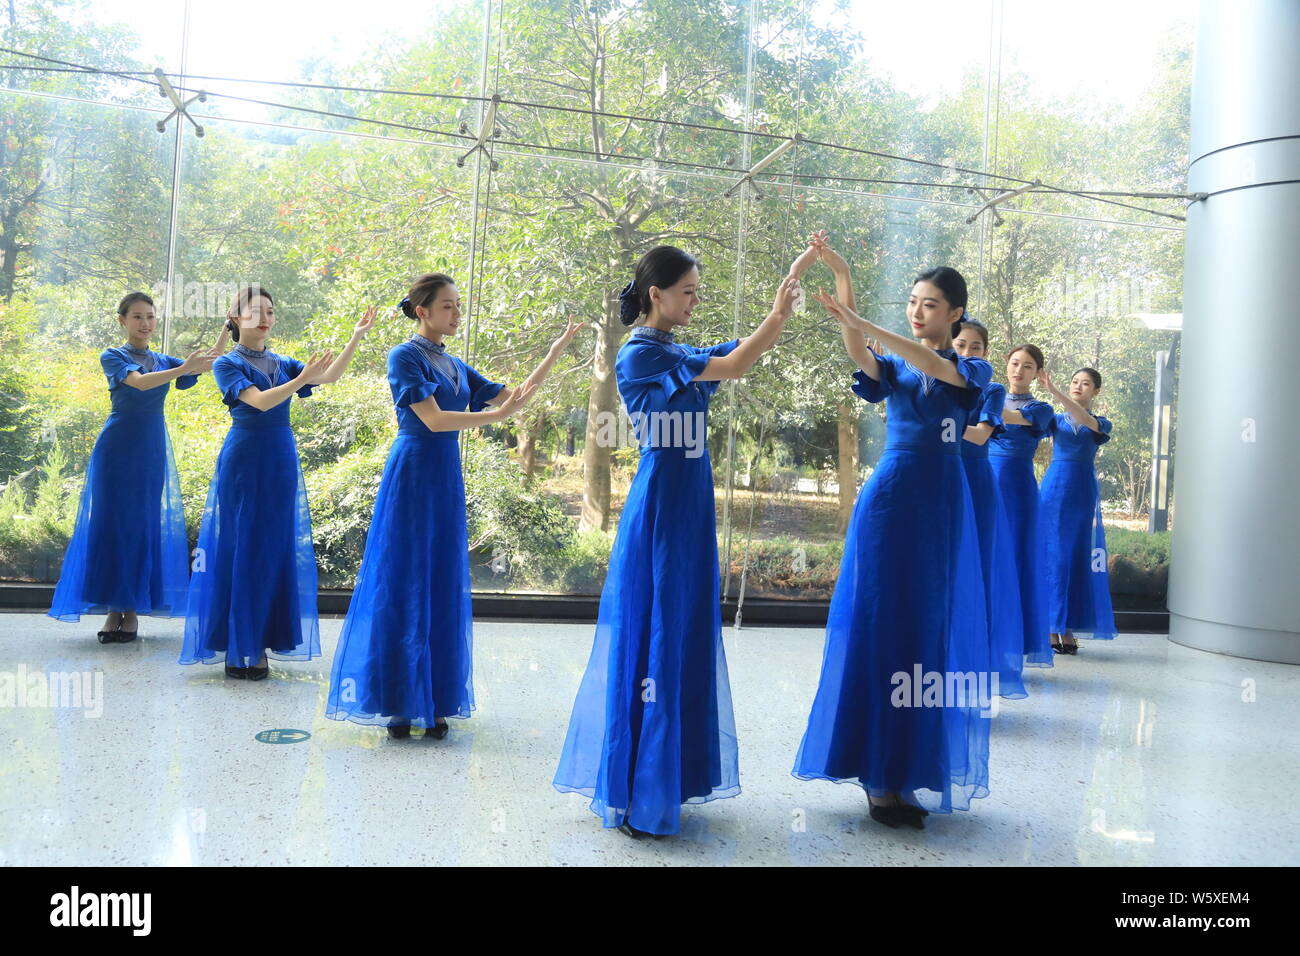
<point x="128" y="555"/>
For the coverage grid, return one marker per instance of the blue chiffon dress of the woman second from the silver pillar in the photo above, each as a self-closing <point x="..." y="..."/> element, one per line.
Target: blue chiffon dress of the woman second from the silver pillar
<point x="1012" y="458"/>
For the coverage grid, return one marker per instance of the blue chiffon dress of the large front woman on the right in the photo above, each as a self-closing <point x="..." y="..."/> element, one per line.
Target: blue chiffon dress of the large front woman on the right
<point x="909" y="611"/>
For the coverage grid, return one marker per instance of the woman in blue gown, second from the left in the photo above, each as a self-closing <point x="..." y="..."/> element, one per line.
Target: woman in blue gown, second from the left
<point x="253" y="594"/>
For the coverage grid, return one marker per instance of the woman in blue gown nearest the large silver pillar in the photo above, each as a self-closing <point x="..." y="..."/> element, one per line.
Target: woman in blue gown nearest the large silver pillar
<point x="1078" y="583"/>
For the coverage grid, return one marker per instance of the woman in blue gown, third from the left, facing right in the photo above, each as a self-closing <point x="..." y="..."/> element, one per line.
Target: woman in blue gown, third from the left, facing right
<point x="405" y="656"/>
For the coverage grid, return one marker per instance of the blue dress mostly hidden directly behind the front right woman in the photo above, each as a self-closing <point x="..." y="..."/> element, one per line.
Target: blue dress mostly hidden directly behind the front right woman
<point x="1002" y="586"/>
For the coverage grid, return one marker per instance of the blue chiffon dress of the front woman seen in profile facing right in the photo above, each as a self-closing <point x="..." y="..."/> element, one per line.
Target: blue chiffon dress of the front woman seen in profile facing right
<point x="652" y="726"/>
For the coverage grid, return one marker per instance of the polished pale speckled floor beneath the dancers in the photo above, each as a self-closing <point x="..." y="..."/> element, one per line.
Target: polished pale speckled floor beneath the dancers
<point x="1137" y="752"/>
